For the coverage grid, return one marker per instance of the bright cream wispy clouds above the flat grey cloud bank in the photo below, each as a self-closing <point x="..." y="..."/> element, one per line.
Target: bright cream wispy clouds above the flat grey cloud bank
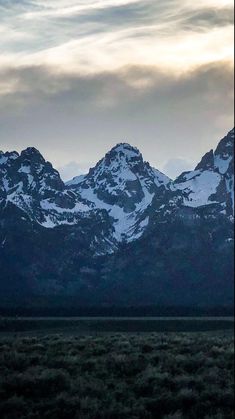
<point x="92" y="36"/>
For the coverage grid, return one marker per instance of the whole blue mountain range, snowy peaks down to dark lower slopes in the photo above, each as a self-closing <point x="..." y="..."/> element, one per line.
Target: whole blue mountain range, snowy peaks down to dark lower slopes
<point x="122" y="234"/>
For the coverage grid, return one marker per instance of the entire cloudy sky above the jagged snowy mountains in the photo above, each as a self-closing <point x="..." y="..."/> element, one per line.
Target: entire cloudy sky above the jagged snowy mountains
<point x="79" y="76"/>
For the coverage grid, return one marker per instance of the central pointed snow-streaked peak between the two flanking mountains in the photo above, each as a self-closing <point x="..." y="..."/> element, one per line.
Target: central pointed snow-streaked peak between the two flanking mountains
<point x="124" y="185"/>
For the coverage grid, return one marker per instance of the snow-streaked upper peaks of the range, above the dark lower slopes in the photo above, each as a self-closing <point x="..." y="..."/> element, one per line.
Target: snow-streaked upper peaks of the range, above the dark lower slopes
<point x="121" y="185"/>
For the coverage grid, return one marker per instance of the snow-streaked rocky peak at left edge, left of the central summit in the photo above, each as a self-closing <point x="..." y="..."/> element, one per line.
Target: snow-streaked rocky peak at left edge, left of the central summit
<point x="34" y="186"/>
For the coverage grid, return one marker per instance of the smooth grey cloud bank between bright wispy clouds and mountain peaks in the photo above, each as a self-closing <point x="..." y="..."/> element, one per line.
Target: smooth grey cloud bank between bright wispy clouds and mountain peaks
<point x="82" y="117"/>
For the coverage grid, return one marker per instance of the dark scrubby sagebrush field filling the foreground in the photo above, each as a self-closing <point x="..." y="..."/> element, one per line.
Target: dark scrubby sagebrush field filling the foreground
<point x="117" y="376"/>
